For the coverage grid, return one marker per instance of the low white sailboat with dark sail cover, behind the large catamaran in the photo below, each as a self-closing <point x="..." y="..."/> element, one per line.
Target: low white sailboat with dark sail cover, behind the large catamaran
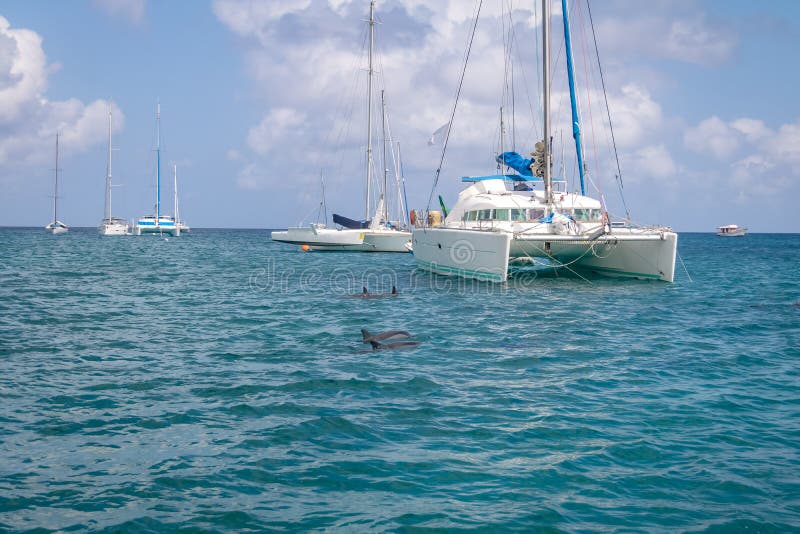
<point x="375" y="233"/>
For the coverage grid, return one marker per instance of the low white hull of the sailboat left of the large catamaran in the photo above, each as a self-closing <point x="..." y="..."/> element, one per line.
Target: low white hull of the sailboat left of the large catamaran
<point x="348" y="240"/>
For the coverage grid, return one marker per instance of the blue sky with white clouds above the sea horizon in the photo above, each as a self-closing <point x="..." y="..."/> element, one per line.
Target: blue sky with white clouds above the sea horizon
<point x="260" y="99"/>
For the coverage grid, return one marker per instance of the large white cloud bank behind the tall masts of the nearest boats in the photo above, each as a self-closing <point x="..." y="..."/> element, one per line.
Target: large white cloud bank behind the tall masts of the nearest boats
<point x="305" y="57"/>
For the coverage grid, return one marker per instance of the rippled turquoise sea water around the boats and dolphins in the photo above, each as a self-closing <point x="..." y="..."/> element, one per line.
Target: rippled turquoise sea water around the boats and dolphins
<point x="217" y="382"/>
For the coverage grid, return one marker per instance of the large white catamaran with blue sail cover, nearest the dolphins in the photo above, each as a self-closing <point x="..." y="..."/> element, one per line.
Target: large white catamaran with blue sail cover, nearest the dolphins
<point x="504" y="219"/>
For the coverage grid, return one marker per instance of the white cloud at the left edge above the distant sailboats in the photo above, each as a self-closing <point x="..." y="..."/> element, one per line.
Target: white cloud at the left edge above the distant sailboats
<point x="28" y="120"/>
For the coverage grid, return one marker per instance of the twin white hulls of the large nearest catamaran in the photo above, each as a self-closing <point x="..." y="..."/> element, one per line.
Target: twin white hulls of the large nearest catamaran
<point x="482" y="255"/>
